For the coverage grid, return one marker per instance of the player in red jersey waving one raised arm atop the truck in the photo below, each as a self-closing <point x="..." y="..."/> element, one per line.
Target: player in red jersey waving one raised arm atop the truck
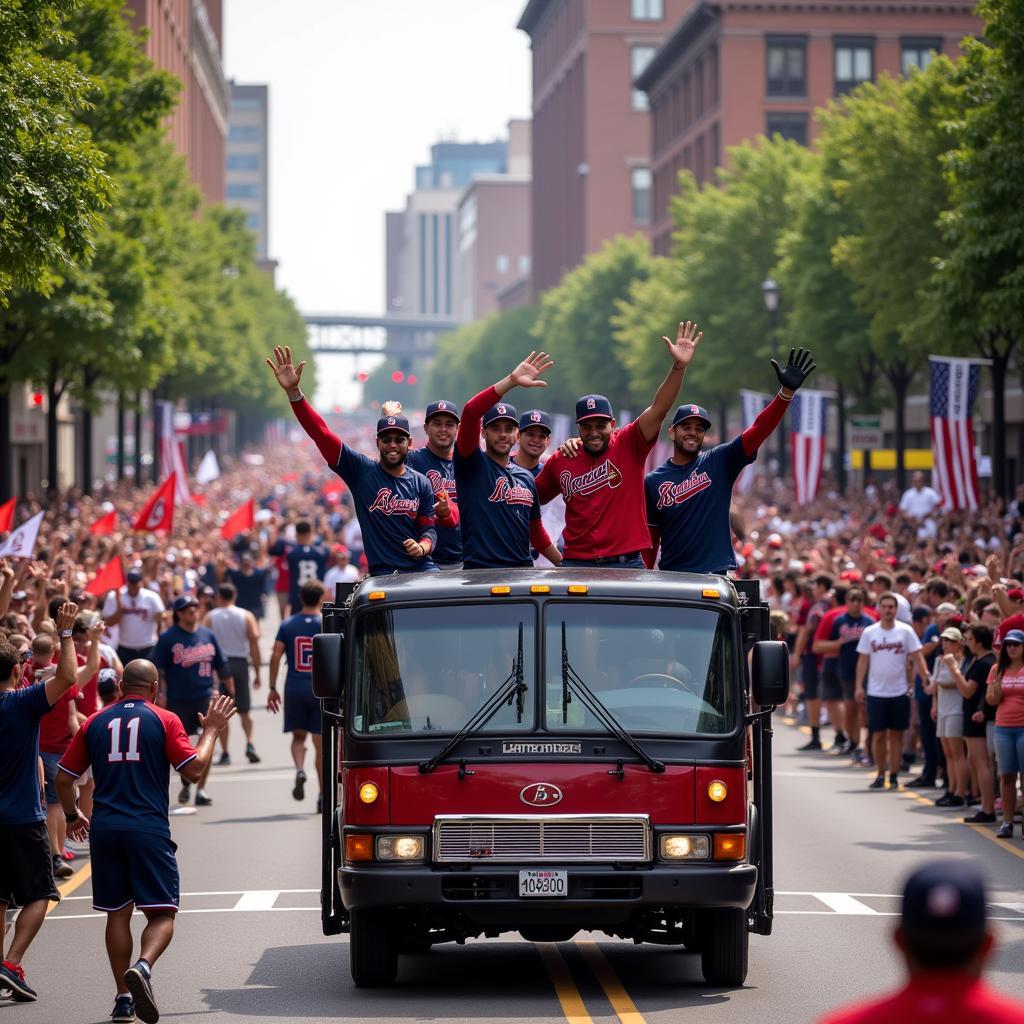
<point x="601" y="475"/>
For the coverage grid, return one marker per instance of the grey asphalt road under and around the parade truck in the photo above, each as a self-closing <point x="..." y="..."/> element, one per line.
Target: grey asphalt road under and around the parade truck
<point x="248" y="943"/>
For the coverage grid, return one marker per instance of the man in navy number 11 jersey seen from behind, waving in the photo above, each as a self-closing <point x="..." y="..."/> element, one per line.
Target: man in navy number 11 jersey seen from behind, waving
<point x="132" y="746"/>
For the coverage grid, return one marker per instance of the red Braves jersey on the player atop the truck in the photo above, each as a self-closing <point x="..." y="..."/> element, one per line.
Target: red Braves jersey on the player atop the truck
<point x="604" y="496"/>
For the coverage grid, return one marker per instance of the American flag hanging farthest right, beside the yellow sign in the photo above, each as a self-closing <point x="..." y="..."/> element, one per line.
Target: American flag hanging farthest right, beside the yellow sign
<point x="955" y="388"/>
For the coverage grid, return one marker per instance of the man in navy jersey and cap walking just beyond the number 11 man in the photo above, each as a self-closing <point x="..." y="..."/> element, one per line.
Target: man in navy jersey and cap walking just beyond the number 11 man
<point x="188" y="656"/>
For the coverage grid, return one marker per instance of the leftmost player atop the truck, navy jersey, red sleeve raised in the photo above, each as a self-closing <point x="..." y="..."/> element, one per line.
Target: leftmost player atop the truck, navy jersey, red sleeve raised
<point x="395" y="504"/>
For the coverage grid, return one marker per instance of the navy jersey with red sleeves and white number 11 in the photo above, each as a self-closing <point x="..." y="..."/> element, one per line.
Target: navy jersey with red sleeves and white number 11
<point x="132" y="747"/>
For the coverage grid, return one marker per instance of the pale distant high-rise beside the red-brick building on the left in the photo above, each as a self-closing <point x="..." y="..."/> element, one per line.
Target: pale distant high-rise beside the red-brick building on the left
<point x="247" y="175"/>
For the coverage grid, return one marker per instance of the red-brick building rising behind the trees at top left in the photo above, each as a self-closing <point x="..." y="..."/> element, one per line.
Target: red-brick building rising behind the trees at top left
<point x="185" y="38"/>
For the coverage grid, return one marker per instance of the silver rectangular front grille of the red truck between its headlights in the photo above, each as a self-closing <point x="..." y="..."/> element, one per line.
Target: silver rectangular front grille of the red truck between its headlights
<point x="529" y="839"/>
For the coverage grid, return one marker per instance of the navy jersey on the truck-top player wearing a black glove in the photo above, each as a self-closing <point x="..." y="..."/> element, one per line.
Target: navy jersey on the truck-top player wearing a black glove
<point x="691" y="506"/>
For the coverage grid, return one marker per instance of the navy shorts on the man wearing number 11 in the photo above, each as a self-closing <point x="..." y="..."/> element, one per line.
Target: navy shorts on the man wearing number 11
<point x="134" y="868"/>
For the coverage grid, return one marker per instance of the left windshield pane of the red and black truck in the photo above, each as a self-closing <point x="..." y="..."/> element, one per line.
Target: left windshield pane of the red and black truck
<point x="431" y="669"/>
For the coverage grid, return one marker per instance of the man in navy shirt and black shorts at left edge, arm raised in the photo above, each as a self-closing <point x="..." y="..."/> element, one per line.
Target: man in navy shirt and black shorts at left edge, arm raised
<point x="26" y="867"/>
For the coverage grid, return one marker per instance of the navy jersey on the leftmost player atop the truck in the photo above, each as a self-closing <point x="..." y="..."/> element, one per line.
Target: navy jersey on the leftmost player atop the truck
<point x="391" y="510"/>
